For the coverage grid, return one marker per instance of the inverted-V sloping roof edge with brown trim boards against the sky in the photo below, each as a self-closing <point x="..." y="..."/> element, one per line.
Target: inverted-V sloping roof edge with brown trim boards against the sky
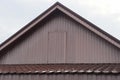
<point x="58" y="6"/>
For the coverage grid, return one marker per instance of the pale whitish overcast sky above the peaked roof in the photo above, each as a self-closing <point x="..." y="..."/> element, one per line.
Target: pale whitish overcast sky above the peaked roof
<point x="14" y="14"/>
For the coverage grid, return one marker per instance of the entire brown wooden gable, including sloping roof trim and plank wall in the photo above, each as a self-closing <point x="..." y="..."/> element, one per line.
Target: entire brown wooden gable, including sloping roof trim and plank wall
<point x="59" y="20"/>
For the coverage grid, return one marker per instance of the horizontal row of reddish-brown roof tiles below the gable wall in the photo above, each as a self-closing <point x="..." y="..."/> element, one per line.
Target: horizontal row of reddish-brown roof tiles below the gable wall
<point x="60" y="68"/>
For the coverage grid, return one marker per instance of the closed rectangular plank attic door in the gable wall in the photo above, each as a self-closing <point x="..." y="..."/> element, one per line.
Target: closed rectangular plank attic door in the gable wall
<point x="56" y="47"/>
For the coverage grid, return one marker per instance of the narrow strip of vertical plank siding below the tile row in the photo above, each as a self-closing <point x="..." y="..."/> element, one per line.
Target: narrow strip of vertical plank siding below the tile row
<point x="59" y="77"/>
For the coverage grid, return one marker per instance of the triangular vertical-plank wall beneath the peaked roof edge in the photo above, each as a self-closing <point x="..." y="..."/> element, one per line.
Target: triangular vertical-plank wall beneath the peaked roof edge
<point x="82" y="45"/>
